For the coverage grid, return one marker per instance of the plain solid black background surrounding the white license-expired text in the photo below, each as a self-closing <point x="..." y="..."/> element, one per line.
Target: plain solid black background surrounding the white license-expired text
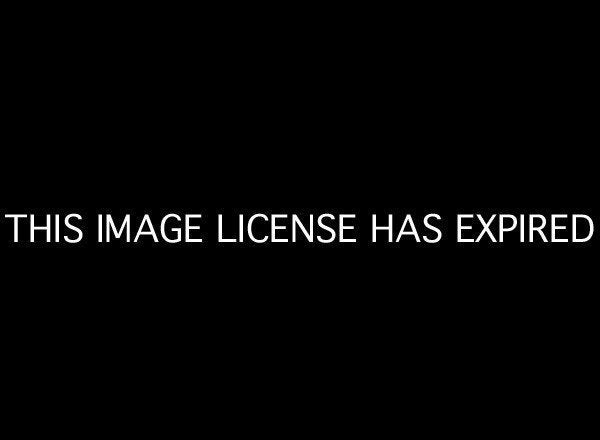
<point x="368" y="113"/>
